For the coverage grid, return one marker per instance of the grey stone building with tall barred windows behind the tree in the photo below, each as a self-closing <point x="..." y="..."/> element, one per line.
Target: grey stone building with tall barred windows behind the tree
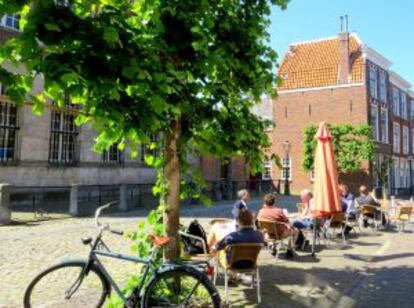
<point x="51" y="151"/>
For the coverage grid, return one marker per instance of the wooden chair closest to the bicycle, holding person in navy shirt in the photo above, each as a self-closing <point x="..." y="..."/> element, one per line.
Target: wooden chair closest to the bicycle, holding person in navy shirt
<point x="240" y="258"/>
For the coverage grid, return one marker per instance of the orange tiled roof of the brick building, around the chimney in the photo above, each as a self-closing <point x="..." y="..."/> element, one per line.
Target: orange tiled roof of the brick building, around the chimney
<point x="315" y="64"/>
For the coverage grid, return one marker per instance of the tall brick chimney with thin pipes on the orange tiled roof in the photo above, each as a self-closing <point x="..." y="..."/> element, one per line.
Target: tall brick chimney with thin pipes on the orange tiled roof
<point x="344" y="63"/>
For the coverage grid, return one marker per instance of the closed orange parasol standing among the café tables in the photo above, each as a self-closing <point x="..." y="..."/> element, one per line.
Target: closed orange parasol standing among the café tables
<point x="326" y="190"/>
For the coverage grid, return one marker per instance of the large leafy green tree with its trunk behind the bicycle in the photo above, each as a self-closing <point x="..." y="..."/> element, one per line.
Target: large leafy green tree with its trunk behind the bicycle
<point x="188" y="70"/>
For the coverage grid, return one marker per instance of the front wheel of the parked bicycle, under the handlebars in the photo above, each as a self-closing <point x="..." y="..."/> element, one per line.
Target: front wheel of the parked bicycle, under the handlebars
<point x="67" y="285"/>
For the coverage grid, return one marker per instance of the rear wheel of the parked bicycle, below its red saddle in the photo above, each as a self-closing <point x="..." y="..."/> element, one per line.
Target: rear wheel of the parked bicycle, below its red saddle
<point x="181" y="287"/>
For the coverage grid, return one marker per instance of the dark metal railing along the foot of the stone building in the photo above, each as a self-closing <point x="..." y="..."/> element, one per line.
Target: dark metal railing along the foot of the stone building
<point x="85" y="199"/>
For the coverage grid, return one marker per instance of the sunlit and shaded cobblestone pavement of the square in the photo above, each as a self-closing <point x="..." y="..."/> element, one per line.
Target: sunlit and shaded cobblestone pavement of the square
<point x="374" y="269"/>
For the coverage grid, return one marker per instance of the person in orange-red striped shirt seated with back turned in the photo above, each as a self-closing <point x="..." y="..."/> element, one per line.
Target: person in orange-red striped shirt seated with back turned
<point x="270" y="212"/>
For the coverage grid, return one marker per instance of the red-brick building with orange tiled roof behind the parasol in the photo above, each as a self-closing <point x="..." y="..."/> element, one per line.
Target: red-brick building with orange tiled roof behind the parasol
<point x="342" y="80"/>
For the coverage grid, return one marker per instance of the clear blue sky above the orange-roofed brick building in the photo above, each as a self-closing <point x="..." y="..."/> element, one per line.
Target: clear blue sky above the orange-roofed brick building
<point x="384" y="25"/>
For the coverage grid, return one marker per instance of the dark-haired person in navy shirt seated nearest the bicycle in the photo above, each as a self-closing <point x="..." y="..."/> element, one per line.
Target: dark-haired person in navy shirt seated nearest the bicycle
<point x="245" y="233"/>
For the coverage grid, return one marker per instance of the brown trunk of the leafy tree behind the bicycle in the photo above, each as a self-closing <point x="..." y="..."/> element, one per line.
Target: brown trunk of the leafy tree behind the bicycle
<point x="172" y="174"/>
